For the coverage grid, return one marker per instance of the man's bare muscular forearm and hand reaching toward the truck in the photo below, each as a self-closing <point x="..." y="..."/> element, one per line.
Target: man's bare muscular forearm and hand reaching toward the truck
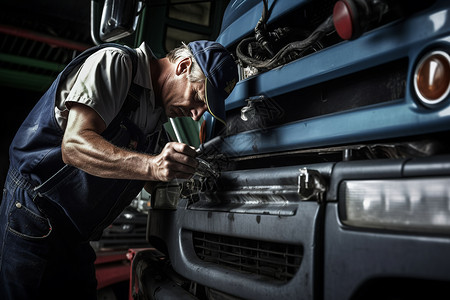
<point x="84" y="148"/>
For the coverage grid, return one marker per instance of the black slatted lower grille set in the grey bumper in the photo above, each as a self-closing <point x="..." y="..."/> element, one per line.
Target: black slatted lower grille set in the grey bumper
<point x="276" y="261"/>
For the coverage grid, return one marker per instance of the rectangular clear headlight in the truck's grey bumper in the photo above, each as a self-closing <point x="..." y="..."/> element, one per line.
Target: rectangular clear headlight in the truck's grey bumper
<point x="398" y="204"/>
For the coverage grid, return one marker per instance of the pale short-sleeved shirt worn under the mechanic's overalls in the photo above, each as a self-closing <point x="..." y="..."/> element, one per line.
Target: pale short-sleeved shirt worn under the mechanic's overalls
<point x="98" y="84"/>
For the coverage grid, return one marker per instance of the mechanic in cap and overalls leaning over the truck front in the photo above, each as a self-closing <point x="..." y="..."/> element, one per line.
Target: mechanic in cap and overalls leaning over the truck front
<point x="86" y="150"/>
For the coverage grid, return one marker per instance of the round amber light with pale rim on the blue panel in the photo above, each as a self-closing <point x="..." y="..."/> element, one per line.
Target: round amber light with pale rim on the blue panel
<point x="432" y="77"/>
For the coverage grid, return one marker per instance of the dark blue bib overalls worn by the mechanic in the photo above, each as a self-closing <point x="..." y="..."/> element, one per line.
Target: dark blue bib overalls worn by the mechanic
<point x="50" y="211"/>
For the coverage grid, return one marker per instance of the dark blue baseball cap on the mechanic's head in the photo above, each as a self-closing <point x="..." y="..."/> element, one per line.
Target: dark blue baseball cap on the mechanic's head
<point x="221" y="74"/>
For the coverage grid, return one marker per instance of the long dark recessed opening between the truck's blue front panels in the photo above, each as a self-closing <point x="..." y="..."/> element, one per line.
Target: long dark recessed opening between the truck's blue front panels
<point x="372" y="86"/>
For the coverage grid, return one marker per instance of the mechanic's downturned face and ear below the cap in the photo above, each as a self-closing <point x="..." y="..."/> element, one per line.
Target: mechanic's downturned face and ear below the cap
<point x="181" y="97"/>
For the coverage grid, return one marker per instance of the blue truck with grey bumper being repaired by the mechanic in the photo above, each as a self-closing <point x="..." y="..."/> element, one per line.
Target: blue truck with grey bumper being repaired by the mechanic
<point x="331" y="179"/>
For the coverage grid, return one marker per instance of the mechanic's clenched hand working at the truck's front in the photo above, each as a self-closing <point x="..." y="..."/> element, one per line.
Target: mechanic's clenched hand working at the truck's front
<point x="176" y="160"/>
